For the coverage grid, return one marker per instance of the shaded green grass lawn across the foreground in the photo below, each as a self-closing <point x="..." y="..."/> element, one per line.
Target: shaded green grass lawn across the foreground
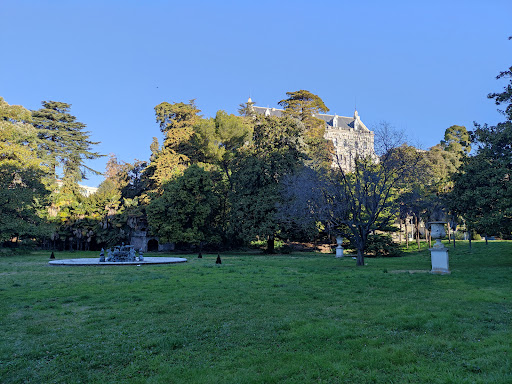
<point x="298" y="318"/>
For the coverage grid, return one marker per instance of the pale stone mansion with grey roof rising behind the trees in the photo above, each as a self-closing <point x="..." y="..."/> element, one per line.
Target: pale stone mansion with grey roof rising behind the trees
<point x="349" y="136"/>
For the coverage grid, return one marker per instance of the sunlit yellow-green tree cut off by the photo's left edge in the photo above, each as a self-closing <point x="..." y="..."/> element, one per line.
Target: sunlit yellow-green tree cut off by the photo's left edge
<point x="23" y="176"/>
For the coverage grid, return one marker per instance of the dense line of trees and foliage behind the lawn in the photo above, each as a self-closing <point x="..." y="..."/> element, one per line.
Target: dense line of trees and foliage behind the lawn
<point x="228" y="180"/>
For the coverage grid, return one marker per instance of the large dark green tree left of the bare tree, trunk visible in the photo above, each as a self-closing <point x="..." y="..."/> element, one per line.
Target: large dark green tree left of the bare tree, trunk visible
<point x="276" y="150"/>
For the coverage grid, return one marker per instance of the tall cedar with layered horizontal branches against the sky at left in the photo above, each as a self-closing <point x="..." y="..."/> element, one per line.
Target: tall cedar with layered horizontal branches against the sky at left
<point x="63" y="141"/>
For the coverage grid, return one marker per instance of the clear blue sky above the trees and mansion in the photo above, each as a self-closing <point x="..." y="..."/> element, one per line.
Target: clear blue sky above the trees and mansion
<point x="421" y="66"/>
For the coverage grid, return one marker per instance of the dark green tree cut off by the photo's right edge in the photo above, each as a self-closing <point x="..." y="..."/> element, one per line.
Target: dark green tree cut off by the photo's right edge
<point x="483" y="190"/>
